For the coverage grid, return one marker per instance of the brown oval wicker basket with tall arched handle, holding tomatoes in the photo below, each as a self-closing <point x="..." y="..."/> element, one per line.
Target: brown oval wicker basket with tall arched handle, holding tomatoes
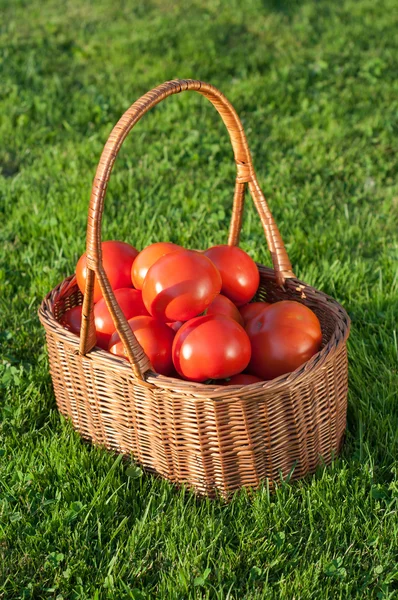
<point x="211" y="438"/>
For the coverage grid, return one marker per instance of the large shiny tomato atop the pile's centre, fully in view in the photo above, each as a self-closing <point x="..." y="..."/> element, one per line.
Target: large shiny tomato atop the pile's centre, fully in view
<point x="180" y="286"/>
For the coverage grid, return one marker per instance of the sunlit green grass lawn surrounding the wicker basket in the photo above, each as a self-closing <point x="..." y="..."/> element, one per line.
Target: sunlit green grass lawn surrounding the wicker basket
<point x="316" y="86"/>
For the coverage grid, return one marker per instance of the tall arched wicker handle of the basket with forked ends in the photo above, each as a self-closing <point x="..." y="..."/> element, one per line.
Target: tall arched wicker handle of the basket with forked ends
<point x="245" y="175"/>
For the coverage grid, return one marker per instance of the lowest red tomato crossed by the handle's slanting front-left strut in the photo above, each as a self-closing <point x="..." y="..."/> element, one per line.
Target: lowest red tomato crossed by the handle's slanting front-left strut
<point x="155" y="338"/>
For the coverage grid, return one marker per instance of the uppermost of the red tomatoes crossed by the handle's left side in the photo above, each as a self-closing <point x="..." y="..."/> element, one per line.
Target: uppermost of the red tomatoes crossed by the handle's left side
<point x="117" y="259"/>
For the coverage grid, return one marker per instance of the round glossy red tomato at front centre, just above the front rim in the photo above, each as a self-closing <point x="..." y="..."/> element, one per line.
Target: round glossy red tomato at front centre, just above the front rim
<point x="210" y="347"/>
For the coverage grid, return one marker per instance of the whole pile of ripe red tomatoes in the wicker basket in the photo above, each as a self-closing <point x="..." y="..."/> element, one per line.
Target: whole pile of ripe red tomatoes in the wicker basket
<point x="192" y="313"/>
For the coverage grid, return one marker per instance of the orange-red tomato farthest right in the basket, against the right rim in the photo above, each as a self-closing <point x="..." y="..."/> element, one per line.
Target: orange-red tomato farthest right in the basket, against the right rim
<point x="283" y="337"/>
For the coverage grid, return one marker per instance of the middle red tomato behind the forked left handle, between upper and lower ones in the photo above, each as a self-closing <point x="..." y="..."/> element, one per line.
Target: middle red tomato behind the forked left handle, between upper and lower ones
<point x="131" y="305"/>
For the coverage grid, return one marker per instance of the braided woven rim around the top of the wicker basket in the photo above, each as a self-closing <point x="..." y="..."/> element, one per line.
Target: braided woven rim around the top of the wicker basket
<point x="216" y="392"/>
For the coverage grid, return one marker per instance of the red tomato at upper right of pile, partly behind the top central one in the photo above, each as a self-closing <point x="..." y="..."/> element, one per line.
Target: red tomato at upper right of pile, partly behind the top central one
<point x="239" y="273"/>
